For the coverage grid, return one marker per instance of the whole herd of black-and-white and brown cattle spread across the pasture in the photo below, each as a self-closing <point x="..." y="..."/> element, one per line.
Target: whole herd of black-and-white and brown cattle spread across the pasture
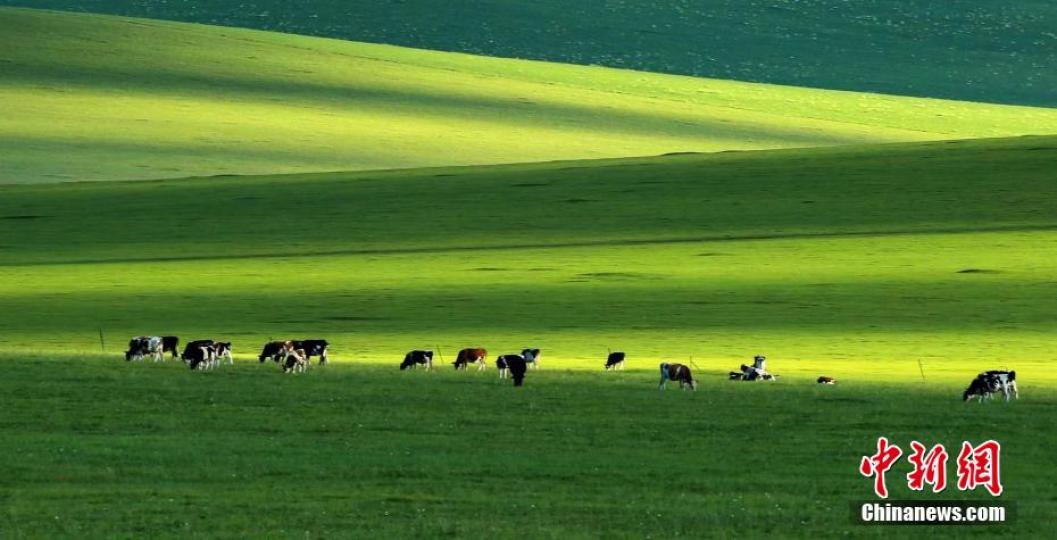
<point x="295" y="357"/>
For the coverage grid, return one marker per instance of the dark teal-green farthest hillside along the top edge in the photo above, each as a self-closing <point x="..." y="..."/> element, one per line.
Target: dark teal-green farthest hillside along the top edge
<point x="973" y="50"/>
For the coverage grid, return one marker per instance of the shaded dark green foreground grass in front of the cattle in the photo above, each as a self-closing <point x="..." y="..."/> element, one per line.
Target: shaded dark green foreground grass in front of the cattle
<point x="104" y="449"/>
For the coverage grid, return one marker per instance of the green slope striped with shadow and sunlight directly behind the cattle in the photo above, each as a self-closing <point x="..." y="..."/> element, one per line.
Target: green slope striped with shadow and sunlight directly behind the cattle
<point x="855" y="262"/>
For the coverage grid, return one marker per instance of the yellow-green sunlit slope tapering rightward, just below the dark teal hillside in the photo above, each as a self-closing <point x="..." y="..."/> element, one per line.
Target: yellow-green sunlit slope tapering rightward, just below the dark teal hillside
<point x="98" y="98"/>
